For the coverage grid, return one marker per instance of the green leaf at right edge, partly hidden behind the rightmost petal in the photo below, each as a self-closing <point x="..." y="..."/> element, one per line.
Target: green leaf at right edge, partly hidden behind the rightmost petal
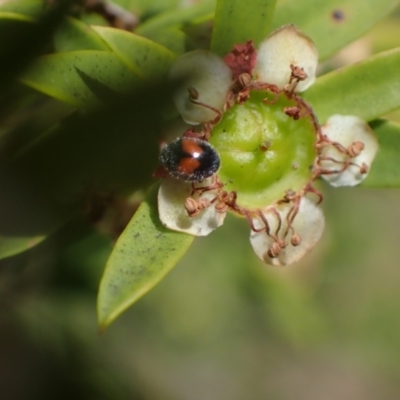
<point x="385" y="171"/>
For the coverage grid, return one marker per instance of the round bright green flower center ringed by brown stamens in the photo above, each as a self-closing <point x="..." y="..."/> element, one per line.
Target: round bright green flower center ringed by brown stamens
<point x="263" y="151"/>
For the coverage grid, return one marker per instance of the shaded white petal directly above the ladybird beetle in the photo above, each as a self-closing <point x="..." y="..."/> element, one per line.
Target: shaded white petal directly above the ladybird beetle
<point x="208" y="74"/>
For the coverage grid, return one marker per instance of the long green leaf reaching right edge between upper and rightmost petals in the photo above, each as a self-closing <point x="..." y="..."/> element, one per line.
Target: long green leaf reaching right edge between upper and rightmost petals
<point x="368" y="89"/>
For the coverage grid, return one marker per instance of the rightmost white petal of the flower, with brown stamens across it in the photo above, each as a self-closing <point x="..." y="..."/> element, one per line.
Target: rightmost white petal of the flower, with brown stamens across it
<point x="347" y="130"/>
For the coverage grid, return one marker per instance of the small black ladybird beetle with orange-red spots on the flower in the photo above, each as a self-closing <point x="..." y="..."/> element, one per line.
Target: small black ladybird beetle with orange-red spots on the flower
<point x="190" y="159"/>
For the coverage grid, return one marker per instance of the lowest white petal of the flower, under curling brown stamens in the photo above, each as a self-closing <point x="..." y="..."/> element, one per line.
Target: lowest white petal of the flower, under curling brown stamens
<point x="308" y="224"/>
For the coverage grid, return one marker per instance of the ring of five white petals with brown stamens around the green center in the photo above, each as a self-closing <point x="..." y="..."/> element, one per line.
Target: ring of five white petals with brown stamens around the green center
<point x="285" y="63"/>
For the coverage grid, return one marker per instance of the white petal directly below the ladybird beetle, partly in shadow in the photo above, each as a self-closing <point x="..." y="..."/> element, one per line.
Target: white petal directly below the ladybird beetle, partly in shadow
<point x="173" y="215"/>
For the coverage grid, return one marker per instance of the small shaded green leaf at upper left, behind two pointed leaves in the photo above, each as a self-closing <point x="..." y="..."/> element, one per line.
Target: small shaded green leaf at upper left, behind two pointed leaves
<point x="75" y="35"/>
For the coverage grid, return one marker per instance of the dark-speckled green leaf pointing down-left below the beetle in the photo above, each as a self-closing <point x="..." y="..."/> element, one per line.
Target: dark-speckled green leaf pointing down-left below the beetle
<point x="144" y="253"/>
